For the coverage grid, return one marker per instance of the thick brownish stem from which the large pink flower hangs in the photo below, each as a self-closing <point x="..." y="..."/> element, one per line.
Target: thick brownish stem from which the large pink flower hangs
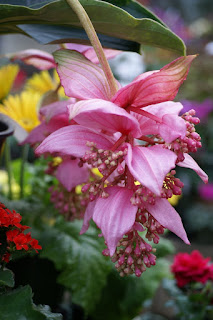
<point x="88" y="27"/>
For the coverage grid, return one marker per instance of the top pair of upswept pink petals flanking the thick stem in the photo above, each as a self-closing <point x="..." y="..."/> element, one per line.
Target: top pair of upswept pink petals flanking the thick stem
<point x="77" y="72"/>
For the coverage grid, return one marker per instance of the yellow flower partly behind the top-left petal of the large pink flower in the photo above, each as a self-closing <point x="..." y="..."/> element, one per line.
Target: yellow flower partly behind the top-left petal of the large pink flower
<point x="43" y="82"/>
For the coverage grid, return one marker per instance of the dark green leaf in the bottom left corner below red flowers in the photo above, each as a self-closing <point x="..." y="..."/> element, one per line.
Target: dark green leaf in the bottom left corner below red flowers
<point x="17" y="305"/>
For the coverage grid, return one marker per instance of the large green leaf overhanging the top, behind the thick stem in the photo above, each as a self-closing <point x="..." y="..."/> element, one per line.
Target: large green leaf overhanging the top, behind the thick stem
<point x="55" y="22"/>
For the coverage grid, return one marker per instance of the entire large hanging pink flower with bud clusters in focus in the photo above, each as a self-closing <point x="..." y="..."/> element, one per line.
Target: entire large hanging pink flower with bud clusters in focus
<point x="135" y="139"/>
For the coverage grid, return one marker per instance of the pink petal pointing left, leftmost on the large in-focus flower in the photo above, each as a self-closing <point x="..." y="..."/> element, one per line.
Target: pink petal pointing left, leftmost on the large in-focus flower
<point x="71" y="140"/>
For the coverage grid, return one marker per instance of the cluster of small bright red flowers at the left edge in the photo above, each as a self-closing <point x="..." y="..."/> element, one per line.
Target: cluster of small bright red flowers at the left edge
<point x="12" y="236"/>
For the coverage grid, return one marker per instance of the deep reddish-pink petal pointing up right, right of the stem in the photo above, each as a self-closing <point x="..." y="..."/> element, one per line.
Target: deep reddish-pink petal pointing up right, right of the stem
<point x="158" y="87"/>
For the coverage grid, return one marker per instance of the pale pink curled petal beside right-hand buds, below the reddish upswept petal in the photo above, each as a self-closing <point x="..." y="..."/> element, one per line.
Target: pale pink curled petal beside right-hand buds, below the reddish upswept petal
<point x="172" y="125"/>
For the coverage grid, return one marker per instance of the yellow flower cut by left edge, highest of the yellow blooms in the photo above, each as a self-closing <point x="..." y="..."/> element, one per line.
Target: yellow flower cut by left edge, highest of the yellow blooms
<point x="8" y="74"/>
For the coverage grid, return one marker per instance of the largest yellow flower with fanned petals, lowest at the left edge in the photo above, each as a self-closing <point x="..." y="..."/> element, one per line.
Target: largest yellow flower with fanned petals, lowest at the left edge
<point x="22" y="109"/>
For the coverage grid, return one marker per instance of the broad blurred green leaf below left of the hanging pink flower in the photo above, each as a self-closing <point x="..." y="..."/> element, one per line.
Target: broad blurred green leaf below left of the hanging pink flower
<point x="83" y="268"/>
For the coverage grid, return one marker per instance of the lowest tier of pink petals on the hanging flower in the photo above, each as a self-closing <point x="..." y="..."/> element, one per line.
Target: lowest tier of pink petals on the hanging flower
<point x="115" y="215"/>
